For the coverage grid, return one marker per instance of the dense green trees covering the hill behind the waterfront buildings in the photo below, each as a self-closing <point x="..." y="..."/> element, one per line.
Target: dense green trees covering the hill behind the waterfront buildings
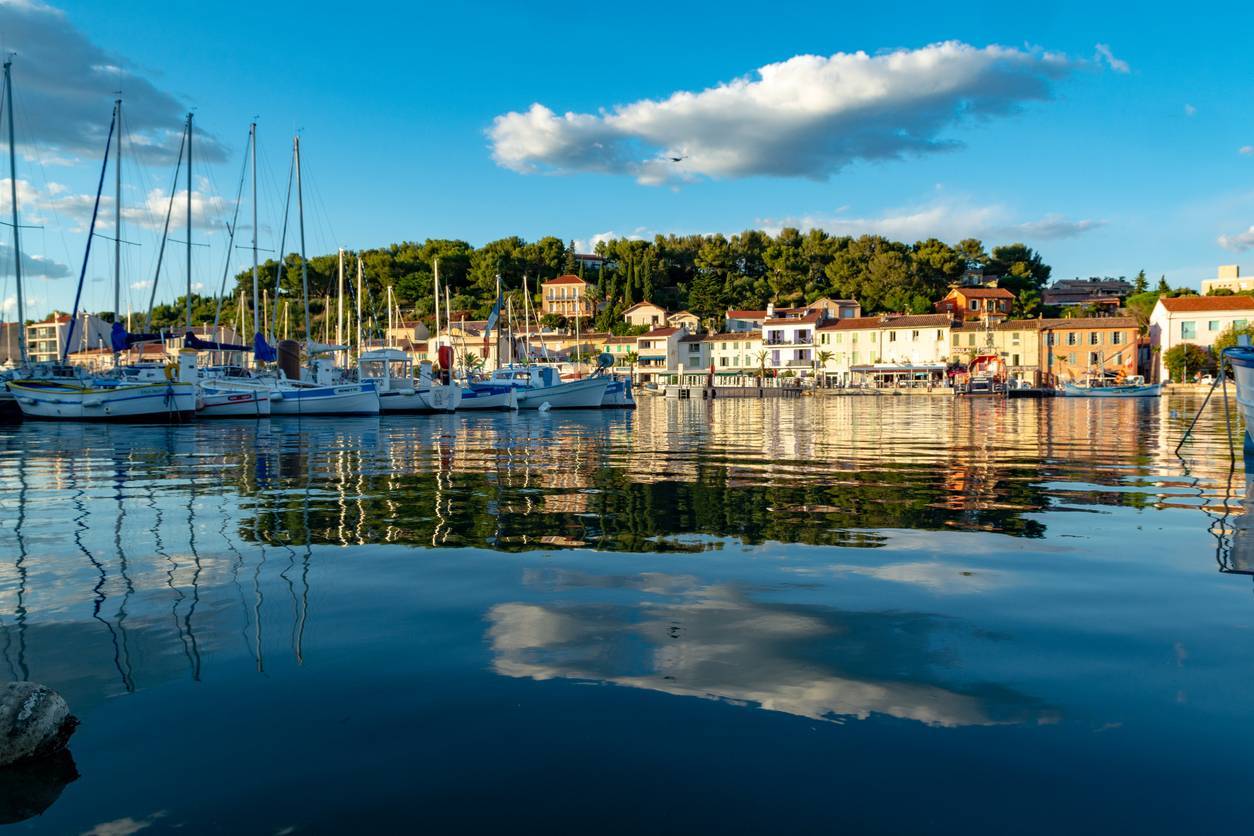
<point x="702" y="274"/>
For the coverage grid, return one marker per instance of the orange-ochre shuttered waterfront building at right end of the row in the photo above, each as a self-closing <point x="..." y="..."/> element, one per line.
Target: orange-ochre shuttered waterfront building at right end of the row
<point x="1073" y="349"/>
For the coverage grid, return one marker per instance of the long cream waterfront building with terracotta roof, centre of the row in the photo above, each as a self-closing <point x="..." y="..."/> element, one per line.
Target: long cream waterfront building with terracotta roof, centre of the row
<point x="885" y="349"/>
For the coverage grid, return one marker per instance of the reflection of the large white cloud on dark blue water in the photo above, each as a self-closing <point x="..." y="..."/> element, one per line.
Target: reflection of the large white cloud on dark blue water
<point x="718" y="642"/>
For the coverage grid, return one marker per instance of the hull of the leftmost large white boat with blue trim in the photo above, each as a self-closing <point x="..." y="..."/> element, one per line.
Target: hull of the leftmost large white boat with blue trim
<point x="65" y="402"/>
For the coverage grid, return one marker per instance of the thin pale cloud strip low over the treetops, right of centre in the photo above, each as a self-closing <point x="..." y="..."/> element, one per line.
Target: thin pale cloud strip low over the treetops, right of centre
<point x="949" y="220"/>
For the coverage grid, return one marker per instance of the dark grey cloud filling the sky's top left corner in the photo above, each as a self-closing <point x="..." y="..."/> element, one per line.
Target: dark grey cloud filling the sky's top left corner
<point x="66" y="86"/>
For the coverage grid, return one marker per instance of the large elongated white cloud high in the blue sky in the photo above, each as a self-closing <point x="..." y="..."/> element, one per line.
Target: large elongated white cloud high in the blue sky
<point x="809" y="116"/>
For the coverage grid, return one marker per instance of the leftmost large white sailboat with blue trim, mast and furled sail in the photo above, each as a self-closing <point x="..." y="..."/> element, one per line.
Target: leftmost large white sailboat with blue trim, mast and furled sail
<point x="68" y="394"/>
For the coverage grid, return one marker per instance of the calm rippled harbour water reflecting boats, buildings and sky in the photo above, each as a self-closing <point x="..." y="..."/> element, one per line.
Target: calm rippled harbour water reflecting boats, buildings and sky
<point x="855" y="615"/>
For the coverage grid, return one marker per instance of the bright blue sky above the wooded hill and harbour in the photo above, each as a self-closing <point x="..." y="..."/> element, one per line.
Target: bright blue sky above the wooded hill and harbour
<point x="1119" y="162"/>
